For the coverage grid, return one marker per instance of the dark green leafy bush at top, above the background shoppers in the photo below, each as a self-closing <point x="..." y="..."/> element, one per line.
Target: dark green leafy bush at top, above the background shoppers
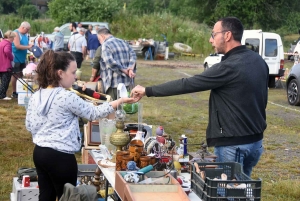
<point x="83" y="10"/>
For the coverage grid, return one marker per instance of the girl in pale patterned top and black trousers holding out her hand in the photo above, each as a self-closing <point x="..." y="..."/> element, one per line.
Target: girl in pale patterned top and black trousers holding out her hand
<point x="52" y="119"/>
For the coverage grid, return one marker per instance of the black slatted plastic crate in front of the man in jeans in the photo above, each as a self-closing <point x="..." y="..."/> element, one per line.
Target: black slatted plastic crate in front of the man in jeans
<point x="211" y="189"/>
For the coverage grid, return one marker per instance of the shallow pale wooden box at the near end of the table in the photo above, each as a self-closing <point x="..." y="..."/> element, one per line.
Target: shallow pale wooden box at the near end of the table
<point x="121" y="186"/>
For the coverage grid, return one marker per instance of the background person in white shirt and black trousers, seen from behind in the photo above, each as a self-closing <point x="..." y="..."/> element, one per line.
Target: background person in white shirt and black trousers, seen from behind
<point x="77" y="46"/>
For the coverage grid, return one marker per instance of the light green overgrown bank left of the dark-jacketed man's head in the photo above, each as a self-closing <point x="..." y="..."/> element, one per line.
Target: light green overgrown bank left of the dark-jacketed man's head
<point x="129" y="26"/>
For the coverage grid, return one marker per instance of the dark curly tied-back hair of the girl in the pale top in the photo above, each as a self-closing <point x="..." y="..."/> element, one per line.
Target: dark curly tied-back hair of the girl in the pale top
<point x="48" y="66"/>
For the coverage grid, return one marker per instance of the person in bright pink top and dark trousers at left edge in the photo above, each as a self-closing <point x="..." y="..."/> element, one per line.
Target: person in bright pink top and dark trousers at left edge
<point x="6" y="58"/>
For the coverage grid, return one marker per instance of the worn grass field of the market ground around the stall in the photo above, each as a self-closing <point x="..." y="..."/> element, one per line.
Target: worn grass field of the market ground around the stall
<point x="279" y="167"/>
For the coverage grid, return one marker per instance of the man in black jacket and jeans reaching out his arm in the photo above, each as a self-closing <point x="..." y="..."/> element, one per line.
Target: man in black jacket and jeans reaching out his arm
<point x="238" y="98"/>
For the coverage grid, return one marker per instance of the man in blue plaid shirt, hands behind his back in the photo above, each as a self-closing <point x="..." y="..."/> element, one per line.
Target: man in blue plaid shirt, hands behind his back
<point x="118" y="62"/>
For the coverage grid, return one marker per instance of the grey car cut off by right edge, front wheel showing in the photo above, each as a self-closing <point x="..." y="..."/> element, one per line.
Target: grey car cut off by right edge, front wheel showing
<point x="293" y="85"/>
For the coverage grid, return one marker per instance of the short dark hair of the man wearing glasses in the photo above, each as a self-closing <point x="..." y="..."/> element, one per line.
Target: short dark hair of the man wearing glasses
<point x="234" y="25"/>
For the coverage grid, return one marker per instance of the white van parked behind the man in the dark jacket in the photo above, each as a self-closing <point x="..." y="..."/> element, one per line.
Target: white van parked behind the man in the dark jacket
<point x="269" y="46"/>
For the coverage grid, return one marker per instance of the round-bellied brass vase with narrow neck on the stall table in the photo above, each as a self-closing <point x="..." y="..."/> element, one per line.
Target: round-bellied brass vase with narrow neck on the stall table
<point x="119" y="138"/>
